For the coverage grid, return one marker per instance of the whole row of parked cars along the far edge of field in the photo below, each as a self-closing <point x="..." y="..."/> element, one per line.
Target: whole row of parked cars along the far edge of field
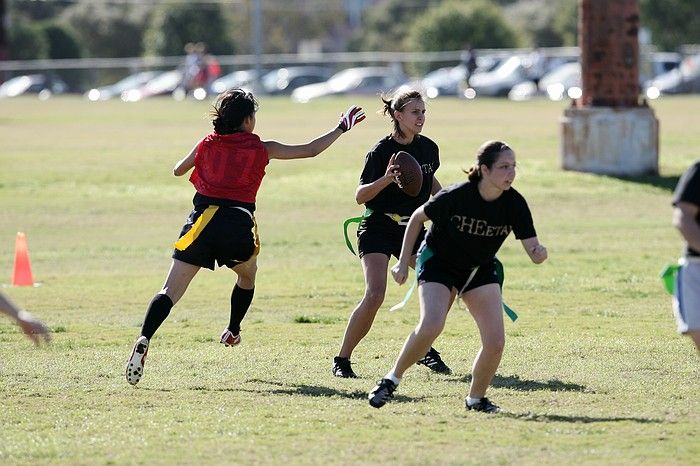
<point x="508" y="76"/>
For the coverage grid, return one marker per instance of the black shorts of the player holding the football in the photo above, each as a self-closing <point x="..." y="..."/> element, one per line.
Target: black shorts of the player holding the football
<point x="379" y="233"/>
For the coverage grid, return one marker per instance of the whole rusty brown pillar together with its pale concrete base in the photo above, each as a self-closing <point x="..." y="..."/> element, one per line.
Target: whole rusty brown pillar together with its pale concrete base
<point x="607" y="131"/>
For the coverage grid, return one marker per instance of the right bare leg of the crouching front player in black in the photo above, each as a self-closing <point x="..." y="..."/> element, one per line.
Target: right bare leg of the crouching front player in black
<point x="484" y="304"/>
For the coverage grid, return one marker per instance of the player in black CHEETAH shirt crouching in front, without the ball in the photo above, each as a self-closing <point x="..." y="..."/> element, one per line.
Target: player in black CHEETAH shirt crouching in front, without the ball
<point x="470" y="222"/>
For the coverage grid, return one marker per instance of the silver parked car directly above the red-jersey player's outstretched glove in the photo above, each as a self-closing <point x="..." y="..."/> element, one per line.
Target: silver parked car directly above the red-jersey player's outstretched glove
<point x="362" y="80"/>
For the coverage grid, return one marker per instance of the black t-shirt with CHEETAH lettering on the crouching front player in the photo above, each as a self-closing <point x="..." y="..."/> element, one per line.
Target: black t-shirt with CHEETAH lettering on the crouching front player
<point x="468" y="231"/>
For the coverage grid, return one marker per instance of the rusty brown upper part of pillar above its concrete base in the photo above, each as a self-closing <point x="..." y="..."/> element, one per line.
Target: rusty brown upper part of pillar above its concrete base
<point x="608" y="33"/>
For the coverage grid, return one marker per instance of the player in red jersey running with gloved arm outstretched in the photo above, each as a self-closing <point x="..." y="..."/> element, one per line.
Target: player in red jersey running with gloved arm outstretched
<point x="229" y="165"/>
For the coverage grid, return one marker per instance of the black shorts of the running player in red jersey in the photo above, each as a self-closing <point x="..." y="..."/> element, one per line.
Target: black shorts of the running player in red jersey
<point x="229" y="238"/>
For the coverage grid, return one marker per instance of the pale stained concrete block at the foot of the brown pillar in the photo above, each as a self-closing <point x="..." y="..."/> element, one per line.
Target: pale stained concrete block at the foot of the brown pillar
<point x="610" y="141"/>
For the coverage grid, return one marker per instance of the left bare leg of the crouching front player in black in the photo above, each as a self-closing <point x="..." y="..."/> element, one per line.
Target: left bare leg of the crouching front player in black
<point x="435" y="299"/>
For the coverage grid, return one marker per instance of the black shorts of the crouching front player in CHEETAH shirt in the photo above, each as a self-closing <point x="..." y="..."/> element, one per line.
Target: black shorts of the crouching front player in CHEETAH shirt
<point x="435" y="270"/>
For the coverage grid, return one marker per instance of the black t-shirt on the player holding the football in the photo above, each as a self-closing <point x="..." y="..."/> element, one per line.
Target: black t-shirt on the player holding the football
<point x="391" y="199"/>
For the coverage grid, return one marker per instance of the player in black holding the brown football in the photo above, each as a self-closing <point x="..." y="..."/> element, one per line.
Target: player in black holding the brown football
<point x="381" y="231"/>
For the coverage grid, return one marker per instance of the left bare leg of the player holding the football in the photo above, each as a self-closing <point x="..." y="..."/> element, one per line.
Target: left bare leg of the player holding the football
<point x="374" y="267"/>
